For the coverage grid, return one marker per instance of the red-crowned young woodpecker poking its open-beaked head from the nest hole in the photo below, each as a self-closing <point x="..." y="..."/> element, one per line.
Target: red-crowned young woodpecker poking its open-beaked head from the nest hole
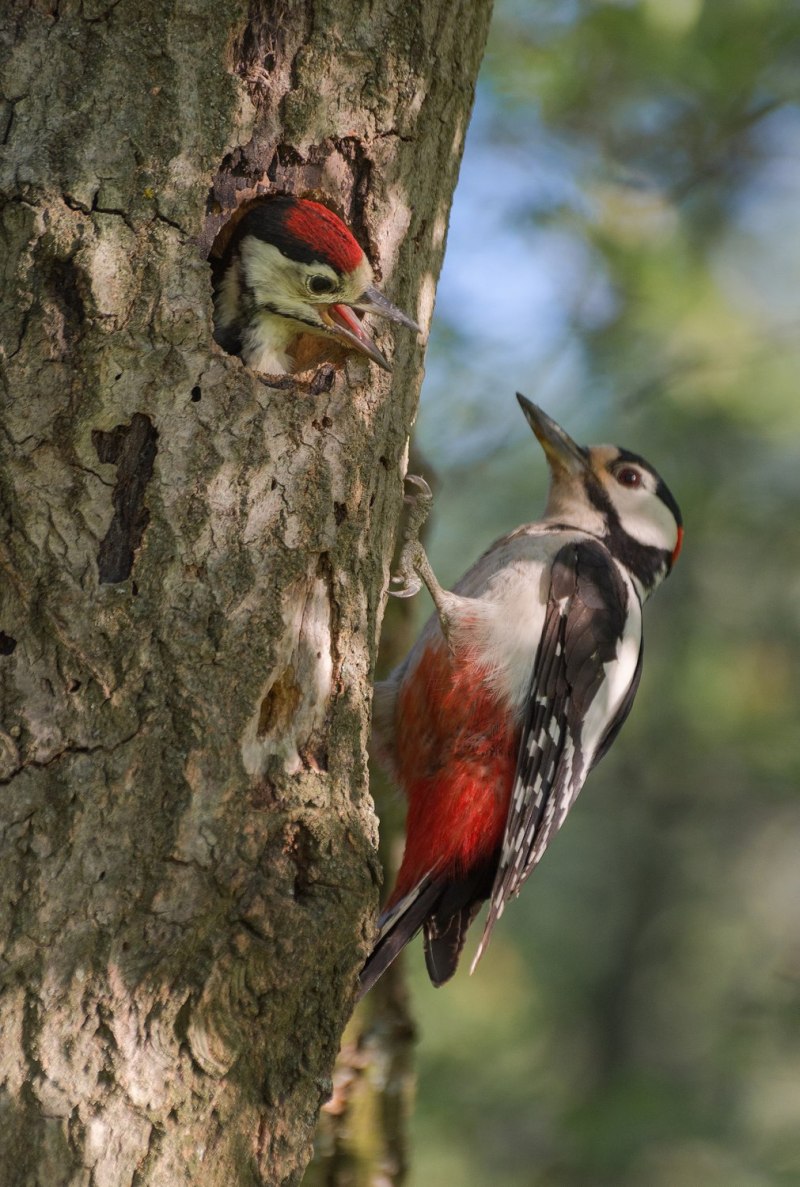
<point x="288" y="285"/>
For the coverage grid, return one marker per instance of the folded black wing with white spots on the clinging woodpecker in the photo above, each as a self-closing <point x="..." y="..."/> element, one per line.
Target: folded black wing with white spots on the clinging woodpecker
<point x="585" y="680"/>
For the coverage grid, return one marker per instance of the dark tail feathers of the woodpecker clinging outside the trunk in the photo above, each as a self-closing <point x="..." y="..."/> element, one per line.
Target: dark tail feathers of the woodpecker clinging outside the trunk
<point x="445" y="909"/>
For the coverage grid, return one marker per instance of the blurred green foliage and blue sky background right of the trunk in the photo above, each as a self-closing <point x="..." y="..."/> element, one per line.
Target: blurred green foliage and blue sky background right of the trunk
<point x="626" y="250"/>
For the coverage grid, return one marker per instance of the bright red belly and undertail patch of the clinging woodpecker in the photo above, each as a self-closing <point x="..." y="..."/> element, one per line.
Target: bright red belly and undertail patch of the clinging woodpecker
<point x="456" y="763"/>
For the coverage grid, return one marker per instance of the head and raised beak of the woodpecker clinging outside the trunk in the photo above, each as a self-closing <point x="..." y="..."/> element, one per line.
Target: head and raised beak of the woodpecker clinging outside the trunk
<point x="614" y="494"/>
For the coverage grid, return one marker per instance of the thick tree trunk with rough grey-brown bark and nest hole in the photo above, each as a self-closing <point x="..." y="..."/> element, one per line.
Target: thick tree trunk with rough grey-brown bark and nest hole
<point x="193" y="570"/>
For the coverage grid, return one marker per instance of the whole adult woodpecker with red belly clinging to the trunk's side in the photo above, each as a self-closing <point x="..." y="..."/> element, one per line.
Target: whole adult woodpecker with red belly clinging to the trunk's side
<point x="517" y="688"/>
